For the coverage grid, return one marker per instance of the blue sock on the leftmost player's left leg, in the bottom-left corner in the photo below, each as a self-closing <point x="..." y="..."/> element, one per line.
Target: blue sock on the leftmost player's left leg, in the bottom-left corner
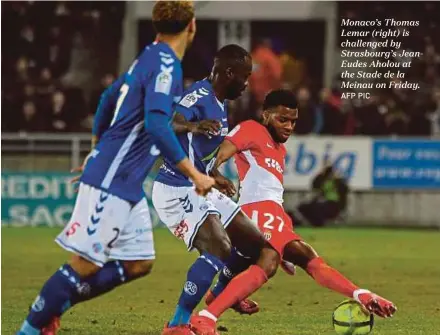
<point x="54" y="298"/>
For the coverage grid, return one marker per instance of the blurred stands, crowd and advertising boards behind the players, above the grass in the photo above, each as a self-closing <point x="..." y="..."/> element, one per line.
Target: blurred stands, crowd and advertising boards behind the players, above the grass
<point x="61" y="55"/>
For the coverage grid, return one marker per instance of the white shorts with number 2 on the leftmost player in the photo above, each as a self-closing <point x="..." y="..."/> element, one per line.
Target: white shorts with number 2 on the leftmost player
<point x="104" y="227"/>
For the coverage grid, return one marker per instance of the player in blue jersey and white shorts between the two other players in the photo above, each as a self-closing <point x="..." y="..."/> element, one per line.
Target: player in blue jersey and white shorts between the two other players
<point x="213" y="225"/>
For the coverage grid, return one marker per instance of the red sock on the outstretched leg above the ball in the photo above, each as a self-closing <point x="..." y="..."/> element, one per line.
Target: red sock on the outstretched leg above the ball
<point x="330" y="278"/>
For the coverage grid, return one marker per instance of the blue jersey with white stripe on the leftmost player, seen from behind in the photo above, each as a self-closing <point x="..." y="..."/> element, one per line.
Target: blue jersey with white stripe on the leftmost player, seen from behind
<point x="126" y="151"/>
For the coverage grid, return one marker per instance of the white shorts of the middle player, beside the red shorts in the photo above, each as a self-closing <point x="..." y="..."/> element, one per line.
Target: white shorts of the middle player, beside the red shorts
<point x="183" y="211"/>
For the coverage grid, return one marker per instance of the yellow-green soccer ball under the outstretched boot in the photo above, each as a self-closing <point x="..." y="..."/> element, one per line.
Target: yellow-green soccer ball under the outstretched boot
<point x="350" y="318"/>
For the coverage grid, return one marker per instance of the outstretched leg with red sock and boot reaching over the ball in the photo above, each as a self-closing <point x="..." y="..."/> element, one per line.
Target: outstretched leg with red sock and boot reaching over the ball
<point x="303" y="255"/>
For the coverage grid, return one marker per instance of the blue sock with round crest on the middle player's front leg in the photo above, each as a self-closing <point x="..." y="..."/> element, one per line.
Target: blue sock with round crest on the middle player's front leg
<point x="199" y="280"/>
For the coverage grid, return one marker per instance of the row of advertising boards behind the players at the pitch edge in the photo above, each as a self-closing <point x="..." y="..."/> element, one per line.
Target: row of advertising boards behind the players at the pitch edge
<point x="48" y="198"/>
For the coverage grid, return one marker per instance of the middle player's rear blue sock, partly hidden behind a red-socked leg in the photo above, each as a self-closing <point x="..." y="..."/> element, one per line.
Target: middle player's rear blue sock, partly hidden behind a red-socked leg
<point x="235" y="264"/>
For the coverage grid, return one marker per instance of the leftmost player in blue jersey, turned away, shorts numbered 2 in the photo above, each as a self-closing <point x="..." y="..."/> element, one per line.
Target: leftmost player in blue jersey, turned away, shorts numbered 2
<point x="110" y="232"/>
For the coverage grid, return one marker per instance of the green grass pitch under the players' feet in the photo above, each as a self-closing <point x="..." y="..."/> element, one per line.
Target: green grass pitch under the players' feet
<point x="401" y="265"/>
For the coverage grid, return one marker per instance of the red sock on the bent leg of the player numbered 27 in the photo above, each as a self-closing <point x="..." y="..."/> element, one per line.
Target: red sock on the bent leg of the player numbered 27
<point x="238" y="289"/>
